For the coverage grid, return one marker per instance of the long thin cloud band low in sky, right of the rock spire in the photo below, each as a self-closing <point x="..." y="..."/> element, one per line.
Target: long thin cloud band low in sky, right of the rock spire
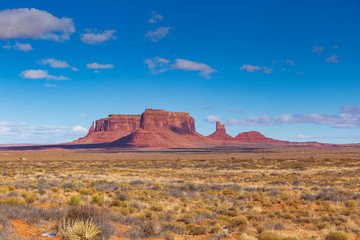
<point x="348" y="118"/>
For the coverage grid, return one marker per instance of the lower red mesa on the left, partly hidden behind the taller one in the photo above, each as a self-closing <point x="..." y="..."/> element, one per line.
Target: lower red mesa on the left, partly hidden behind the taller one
<point x="110" y="129"/>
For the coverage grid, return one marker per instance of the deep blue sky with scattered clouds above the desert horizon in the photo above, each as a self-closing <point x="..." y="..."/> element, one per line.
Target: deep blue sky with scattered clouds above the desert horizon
<point x="288" y="69"/>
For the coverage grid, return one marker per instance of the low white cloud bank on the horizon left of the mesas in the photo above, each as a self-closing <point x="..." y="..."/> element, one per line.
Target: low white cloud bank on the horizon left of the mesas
<point x="22" y="133"/>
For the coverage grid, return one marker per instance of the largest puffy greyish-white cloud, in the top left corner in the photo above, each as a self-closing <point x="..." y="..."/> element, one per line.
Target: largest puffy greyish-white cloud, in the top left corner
<point x="32" y="23"/>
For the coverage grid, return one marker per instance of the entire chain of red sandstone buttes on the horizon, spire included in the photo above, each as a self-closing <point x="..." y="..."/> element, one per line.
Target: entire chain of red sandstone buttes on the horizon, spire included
<point x="157" y="128"/>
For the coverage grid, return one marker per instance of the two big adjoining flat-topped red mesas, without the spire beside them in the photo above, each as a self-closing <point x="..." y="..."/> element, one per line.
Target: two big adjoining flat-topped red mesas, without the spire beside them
<point x="154" y="128"/>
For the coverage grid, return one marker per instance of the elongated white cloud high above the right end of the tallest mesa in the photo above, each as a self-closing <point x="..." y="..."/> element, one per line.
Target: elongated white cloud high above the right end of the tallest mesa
<point x="187" y="65"/>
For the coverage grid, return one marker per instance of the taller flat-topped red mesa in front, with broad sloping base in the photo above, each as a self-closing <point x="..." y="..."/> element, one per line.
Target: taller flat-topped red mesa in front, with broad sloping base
<point x="159" y="128"/>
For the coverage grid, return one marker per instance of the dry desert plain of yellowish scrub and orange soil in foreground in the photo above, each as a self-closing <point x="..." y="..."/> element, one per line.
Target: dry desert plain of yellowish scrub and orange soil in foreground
<point x="166" y="195"/>
